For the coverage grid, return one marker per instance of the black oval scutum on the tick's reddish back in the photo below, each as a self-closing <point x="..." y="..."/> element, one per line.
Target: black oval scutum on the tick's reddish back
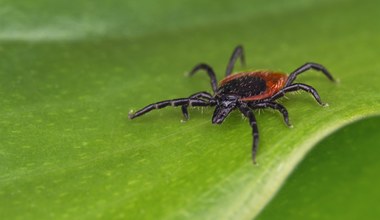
<point x="245" y="86"/>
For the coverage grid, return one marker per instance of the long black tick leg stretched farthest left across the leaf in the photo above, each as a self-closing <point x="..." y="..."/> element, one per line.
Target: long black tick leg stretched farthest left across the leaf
<point x="162" y="104"/>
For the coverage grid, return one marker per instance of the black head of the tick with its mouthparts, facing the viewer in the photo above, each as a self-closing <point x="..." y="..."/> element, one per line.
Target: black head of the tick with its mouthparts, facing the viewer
<point x="225" y="105"/>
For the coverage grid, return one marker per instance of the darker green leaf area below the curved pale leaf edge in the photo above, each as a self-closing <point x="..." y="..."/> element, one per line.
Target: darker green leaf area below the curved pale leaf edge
<point x="336" y="180"/>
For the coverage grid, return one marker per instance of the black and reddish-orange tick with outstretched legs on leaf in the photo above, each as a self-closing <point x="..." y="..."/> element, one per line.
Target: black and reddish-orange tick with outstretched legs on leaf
<point x="244" y="91"/>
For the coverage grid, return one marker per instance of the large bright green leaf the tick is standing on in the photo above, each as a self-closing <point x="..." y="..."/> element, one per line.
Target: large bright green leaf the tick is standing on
<point x="70" y="73"/>
